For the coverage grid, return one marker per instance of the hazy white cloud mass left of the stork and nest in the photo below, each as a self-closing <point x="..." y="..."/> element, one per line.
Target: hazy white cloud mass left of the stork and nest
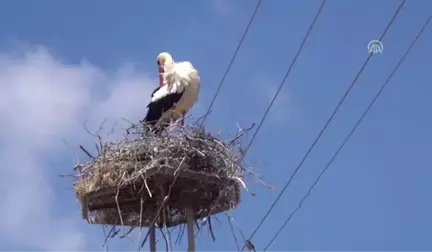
<point x="43" y="100"/>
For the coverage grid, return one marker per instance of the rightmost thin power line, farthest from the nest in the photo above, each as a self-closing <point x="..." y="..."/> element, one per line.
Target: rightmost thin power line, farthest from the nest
<point x="350" y="134"/>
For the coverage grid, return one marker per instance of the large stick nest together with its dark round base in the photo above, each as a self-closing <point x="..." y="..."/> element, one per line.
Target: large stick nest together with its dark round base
<point x="152" y="178"/>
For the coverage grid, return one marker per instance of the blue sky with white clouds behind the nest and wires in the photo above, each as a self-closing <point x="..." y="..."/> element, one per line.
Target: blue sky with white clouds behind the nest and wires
<point x="99" y="57"/>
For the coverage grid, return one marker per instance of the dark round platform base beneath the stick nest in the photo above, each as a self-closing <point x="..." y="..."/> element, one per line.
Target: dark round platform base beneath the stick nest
<point x="132" y="205"/>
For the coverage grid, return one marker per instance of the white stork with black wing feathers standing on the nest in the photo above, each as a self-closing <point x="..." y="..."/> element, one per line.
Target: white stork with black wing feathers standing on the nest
<point x="179" y="85"/>
